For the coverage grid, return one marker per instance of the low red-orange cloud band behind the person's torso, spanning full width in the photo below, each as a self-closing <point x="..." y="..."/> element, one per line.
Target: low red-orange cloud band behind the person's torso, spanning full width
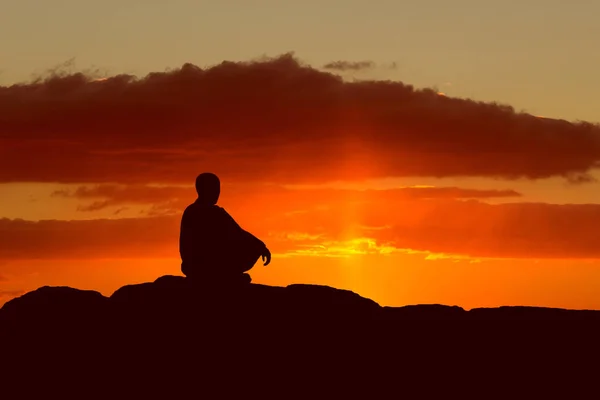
<point x="445" y="226"/>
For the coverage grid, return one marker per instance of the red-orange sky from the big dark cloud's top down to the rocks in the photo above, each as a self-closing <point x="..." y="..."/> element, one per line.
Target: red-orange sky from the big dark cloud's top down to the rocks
<point x="399" y="194"/>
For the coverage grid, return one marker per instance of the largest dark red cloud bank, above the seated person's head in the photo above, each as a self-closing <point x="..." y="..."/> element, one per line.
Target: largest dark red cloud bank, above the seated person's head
<point x="274" y="120"/>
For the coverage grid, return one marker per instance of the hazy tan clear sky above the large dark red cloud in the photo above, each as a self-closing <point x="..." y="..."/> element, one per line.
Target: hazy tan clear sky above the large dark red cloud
<point x="537" y="55"/>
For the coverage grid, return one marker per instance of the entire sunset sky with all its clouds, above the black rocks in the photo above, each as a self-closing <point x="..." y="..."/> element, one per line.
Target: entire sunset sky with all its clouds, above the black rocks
<point x="413" y="152"/>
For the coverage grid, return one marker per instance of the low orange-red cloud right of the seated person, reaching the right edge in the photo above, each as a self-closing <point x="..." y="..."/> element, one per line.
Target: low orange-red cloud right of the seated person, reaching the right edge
<point x="467" y="228"/>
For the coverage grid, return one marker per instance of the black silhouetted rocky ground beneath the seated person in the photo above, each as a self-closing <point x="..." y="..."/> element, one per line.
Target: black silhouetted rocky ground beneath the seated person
<point x="300" y="339"/>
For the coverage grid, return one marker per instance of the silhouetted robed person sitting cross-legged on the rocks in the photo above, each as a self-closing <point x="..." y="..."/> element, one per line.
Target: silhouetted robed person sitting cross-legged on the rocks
<point x="213" y="247"/>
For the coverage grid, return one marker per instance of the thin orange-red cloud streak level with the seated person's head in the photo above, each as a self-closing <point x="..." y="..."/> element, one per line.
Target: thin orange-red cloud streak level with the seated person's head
<point x="168" y="199"/>
